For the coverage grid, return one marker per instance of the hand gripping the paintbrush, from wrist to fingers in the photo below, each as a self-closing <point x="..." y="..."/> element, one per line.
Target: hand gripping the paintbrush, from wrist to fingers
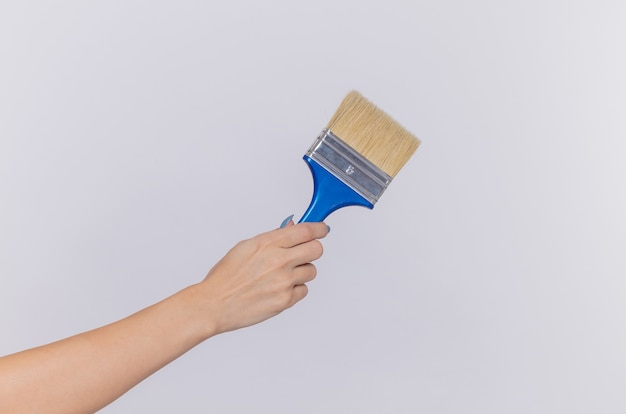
<point x="262" y="276"/>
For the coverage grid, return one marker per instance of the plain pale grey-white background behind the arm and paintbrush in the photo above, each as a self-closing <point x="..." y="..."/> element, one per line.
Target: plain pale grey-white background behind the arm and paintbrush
<point x="139" y="140"/>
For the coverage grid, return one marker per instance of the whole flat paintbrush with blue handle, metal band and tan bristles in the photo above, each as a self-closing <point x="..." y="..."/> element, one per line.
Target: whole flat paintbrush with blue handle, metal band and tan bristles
<point x="355" y="157"/>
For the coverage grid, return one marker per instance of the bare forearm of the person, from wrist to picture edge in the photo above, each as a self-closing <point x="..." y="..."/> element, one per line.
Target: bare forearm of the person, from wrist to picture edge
<point x="86" y="372"/>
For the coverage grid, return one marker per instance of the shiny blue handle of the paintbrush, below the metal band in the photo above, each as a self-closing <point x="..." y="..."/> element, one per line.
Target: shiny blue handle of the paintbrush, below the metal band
<point x="329" y="194"/>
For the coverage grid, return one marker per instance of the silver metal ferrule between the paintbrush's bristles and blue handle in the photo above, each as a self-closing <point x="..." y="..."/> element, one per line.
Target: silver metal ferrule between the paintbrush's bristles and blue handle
<point x="349" y="166"/>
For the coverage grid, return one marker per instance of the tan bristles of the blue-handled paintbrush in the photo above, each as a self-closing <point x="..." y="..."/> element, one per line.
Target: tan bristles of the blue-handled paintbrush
<point x="373" y="133"/>
